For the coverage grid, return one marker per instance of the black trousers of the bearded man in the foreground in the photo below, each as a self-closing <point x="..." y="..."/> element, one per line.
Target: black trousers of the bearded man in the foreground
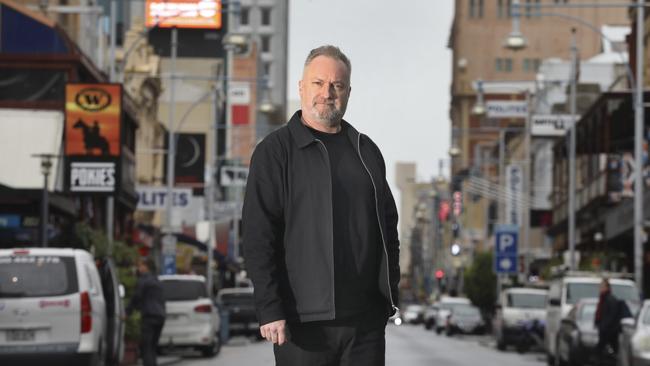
<point x="356" y="341"/>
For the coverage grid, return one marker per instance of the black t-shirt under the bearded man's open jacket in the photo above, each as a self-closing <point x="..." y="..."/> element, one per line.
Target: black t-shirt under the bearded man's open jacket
<point x="357" y="240"/>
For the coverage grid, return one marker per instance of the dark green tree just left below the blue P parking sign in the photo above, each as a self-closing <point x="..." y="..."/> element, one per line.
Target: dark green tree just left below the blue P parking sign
<point x="480" y="282"/>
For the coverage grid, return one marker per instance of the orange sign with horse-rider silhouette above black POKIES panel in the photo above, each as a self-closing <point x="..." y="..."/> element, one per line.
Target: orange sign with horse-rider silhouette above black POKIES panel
<point x="93" y="120"/>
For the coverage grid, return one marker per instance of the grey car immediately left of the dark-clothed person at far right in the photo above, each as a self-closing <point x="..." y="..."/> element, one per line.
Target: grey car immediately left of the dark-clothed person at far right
<point x="577" y="337"/>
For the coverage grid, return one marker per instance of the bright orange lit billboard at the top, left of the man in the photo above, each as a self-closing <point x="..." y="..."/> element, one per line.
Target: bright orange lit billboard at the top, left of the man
<point x="203" y="14"/>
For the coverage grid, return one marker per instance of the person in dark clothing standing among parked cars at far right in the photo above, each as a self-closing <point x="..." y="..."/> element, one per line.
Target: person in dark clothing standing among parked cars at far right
<point x="608" y="321"/>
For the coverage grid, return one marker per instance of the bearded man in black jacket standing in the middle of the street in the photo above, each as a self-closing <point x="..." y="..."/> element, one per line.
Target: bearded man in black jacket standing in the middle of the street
<point x="320" y="229"/>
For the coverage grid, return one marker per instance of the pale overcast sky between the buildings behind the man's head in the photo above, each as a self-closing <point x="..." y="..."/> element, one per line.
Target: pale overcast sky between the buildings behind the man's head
<point x="401" y="71"/>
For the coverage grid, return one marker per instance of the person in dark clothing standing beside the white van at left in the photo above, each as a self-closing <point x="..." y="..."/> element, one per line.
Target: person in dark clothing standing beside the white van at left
<point x="148" y="299"/>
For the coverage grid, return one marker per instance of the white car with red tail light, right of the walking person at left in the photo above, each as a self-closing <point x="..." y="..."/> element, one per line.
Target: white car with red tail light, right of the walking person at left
<point x="192" y="319"/>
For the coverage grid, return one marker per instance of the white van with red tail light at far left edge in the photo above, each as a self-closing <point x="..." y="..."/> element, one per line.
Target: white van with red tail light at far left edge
<point x="52" y="306"/>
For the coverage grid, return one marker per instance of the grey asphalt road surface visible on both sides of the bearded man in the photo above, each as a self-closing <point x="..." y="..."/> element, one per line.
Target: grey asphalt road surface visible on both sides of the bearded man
<point x="406" y="345"/>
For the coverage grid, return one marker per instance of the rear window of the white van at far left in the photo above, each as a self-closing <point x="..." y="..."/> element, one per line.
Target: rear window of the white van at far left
<point x="37" y="276"/>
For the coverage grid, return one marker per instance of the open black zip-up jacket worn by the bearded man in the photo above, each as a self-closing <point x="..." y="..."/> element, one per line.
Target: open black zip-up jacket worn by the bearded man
<point x="287" y="225"/>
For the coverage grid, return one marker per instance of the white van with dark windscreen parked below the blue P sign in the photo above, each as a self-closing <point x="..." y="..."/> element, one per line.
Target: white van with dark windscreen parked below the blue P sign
<point x="517" y="306"/>
